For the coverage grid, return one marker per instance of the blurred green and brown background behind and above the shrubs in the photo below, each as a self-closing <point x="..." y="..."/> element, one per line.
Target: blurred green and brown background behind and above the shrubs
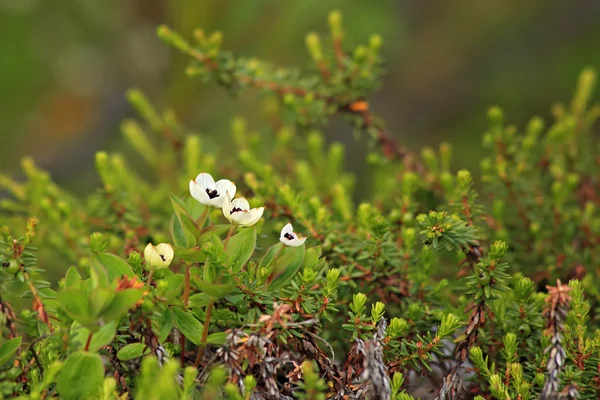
<point x="65" y="66"/>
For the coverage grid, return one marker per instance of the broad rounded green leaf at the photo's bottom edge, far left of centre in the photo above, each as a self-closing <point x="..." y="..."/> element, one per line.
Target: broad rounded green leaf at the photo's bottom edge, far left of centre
<point x="81" y="376"/>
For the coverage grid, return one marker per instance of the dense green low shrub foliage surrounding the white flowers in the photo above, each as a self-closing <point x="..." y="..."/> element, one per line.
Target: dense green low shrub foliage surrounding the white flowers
<point x="419" y="291"/>
